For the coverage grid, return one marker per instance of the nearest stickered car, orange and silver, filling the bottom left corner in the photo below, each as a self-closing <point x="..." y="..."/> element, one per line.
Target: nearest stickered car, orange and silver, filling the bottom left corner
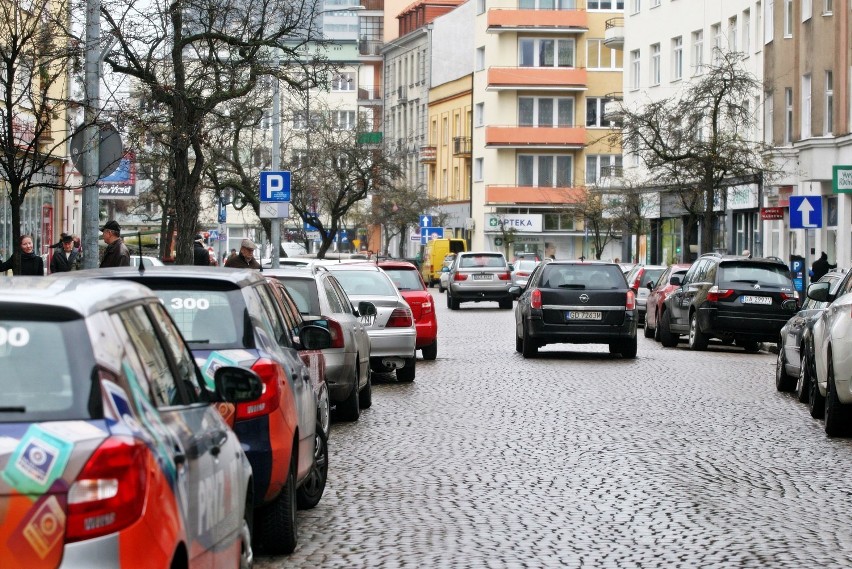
<point x="112" y="450"/>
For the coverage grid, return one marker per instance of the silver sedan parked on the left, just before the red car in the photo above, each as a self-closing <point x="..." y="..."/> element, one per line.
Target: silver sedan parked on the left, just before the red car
<point x="392" y="332"/>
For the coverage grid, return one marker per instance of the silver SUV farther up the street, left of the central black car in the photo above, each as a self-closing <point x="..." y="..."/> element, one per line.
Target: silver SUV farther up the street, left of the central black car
<point x="477" y="276"/>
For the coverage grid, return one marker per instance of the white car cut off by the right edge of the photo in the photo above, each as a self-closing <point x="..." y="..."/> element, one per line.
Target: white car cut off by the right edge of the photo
<point x="831" y="393"/>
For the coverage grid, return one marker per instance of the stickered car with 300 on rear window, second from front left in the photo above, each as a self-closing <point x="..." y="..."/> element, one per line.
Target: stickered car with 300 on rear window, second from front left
<point x="231" y="317"/>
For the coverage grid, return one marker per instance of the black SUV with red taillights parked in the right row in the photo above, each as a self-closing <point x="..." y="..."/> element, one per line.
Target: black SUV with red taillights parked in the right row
<point x="731" y="298"/>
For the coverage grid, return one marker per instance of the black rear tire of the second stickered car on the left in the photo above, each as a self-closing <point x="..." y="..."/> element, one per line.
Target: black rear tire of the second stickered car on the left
<point x="277" y="529"/>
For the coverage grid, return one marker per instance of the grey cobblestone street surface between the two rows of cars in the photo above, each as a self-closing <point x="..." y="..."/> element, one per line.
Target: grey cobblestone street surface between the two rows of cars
<point x="579" y="459"/>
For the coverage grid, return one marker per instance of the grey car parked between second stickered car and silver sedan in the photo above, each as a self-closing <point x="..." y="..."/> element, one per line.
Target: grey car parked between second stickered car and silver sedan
<point x="317" y="292"/>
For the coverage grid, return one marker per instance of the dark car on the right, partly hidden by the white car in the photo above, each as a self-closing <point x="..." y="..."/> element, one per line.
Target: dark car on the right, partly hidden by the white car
<point x="793" y="363"/>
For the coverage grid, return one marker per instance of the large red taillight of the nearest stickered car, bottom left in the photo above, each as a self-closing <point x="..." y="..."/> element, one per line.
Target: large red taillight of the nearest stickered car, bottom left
<point x="109" y="493"/>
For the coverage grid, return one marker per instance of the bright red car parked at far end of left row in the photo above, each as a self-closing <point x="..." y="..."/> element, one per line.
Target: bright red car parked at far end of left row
<point x="407" y="279"/>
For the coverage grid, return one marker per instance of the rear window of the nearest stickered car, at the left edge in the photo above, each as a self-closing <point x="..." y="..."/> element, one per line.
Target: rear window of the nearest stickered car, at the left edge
<point x="47" y="370"/>
